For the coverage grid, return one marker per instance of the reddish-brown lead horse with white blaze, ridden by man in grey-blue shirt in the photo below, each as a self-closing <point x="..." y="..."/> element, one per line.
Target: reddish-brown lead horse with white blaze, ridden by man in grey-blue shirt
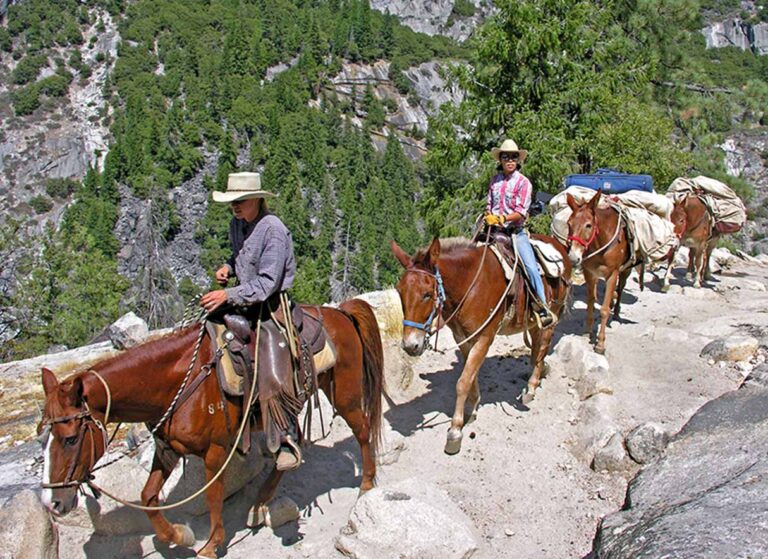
<point x="142" y="383"/>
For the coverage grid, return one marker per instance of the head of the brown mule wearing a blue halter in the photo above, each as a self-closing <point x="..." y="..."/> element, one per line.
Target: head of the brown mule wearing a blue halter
<point x="421" y="295"/>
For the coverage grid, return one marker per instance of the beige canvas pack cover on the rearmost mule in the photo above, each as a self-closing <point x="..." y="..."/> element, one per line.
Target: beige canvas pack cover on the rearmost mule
<point x="724" y="204"/>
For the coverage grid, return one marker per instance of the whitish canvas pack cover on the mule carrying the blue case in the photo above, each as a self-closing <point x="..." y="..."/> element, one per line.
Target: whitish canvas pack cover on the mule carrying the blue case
<point x="646" y="213"/>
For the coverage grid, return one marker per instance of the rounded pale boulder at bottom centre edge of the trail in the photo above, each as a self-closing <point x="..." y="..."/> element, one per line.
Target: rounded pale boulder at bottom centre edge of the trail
<point x="409" y="520"/>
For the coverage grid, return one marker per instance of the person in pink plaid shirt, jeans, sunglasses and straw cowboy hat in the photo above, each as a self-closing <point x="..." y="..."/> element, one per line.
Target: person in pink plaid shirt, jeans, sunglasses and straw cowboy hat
<point x="509" y="198"/>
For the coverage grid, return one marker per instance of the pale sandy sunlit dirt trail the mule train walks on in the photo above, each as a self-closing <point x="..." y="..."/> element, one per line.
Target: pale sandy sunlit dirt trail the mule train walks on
<point x="516" y="479"/>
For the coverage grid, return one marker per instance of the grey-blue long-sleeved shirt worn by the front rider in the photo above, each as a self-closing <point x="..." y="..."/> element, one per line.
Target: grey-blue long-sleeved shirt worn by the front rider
<point x="262" y="259"/>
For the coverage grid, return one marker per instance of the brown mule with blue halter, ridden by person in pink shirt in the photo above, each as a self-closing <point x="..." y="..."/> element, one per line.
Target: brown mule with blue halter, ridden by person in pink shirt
<point x="465" y="283"/>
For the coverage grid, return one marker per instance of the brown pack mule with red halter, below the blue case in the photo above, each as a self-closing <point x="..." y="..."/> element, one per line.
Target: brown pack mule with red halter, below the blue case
<point x="597" y="241"/>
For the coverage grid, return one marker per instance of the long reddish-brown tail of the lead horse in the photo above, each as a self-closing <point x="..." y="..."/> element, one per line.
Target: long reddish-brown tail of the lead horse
<point x="367" y="328"/>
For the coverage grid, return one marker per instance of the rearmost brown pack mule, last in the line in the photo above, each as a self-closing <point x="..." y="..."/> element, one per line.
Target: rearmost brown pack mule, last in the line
<point x="695" y="229"/>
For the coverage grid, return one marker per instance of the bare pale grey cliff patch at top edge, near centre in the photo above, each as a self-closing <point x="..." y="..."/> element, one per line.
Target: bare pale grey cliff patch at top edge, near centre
<point x="438" y="17"/>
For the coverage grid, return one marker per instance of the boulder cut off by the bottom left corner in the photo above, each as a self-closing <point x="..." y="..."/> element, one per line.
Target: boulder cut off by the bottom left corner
<point x="26" y="530"/>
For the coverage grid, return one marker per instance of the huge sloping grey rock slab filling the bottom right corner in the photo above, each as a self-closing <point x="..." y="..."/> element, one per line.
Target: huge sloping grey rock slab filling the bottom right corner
<point x="706" y="497"/>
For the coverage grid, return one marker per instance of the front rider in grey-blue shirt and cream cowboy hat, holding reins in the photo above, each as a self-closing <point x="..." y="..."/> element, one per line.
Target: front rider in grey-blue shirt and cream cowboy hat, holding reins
<point x="263" y="262"/>
